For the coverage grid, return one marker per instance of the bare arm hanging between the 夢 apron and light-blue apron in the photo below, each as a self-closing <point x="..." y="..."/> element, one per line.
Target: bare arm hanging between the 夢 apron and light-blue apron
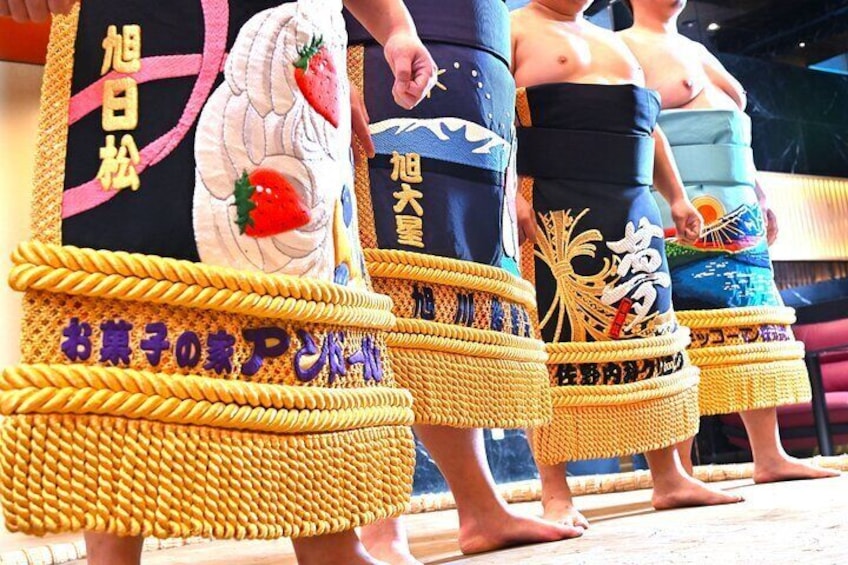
<point x="667" y="181"/>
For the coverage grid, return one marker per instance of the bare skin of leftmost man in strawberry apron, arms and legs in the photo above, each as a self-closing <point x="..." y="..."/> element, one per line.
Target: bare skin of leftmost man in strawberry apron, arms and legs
<point x="390" y="23"/>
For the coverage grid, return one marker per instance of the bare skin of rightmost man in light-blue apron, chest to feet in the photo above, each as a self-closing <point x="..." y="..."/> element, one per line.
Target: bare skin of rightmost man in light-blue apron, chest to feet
<point x="688" y="76"/>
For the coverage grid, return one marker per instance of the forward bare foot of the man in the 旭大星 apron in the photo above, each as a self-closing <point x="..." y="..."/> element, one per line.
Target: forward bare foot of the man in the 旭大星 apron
<point x="504" y="529"/>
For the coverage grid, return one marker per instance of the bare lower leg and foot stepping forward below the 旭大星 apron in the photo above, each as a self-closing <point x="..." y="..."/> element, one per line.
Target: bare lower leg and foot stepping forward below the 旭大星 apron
<point x="485" y="522"/>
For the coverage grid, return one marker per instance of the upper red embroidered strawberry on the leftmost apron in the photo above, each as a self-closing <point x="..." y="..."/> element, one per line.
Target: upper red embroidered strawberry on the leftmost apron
<point x="316" y="76"/>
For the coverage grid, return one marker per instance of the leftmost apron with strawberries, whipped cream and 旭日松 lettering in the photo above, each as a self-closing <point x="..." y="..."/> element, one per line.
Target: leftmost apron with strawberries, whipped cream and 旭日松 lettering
<point x="202" y="355"/>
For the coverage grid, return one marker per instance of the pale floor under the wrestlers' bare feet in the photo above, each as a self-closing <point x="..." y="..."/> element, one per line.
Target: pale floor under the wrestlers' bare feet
<point x="801" y="522"/>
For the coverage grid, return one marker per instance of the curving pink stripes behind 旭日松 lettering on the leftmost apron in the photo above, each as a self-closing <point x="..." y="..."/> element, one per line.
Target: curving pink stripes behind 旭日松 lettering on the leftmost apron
<point x="216" y="21"/>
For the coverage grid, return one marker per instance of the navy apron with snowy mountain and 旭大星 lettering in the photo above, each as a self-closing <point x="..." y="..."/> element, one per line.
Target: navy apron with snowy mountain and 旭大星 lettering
<point x="438" y="223"/>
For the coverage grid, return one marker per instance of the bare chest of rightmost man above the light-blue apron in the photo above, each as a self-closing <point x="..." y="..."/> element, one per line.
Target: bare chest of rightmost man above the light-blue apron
<point x="674" y="66"/>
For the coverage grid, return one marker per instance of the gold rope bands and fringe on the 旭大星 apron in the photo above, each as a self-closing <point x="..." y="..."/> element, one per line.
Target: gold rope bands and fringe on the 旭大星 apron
<point x="460" y="376"/>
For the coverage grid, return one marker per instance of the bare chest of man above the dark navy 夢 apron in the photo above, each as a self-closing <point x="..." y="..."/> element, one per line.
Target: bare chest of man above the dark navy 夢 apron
<point x="550" y="51"/>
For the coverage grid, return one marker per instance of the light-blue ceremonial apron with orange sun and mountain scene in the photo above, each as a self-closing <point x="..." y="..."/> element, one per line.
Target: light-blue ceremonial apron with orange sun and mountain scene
<point x="724" y="284"/>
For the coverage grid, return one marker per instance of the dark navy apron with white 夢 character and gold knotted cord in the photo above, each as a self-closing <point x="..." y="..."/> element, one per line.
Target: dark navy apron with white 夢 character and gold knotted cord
<point x="620" y="379"/>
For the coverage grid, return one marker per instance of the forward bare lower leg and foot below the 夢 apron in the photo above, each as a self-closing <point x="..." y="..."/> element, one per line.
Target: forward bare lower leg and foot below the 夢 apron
<point x="673" y="488"/>
